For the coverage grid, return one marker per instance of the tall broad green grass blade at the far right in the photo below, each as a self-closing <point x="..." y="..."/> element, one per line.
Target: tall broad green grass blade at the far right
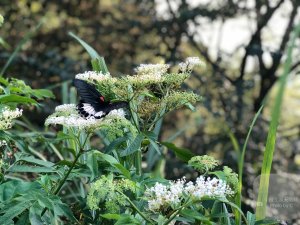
<point x="261" y="203"/>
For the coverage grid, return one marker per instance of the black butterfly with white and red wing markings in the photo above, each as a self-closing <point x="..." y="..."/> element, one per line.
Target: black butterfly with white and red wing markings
<point x="92" y="104"/>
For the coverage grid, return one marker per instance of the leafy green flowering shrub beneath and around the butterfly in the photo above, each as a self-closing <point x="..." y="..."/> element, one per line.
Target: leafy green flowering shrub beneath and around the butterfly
<point x="100" y="163"/>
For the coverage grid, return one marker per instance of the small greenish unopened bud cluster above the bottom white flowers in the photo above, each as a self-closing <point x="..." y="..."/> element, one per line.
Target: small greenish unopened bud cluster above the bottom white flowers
<point x="203" y="163"/>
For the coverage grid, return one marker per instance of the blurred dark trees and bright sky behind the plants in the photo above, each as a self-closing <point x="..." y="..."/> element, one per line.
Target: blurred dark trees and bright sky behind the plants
<point x="242" y="42"/>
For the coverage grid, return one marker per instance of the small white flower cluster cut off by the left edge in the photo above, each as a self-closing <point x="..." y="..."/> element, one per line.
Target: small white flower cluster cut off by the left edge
<point x="6" y="117"/>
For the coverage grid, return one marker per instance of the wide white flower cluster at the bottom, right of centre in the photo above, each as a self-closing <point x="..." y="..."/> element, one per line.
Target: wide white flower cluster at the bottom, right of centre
<point x="163" y="196"/>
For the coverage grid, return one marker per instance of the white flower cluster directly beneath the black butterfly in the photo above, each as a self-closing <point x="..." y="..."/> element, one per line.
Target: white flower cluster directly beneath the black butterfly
<point x="67" y="116"/>
